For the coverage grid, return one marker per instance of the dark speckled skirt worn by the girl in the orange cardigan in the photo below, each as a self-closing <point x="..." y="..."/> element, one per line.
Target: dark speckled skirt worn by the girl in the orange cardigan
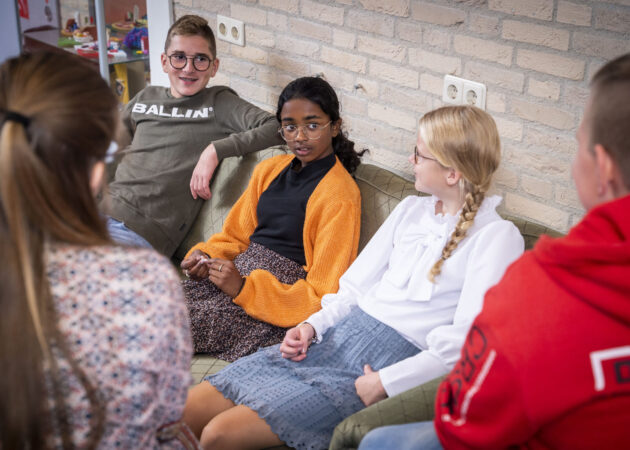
<point x="223" y="329"/>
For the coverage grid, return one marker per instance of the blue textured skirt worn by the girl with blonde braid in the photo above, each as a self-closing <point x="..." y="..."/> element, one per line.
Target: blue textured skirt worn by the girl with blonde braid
<point x="303" y="401"/>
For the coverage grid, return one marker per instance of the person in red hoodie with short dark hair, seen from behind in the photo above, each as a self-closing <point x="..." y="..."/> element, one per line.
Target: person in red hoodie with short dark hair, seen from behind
<point x="546" y="364"/>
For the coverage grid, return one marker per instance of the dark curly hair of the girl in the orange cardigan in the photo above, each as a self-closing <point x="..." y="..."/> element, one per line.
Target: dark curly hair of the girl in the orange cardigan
<point x="320" y="92"/>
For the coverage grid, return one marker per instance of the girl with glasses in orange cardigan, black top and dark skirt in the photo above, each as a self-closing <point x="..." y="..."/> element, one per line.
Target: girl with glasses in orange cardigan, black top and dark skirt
<point x="287" y="240"/>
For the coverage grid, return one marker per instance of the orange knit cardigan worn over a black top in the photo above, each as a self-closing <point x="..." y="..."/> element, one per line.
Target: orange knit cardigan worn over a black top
<point x="331" y="240"/>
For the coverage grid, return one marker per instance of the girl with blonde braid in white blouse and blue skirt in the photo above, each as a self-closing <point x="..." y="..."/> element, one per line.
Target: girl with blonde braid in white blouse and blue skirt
<point x="401" y="313"/>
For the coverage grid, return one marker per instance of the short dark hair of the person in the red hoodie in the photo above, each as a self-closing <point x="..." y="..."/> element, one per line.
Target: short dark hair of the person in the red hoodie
<point x="609" y="112"/>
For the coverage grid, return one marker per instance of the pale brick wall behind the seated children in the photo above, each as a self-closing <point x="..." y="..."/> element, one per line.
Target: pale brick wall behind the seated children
<point x="387" y="60"/>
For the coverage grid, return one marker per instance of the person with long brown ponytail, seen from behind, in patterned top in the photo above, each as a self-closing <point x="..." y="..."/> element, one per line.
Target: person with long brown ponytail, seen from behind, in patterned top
<point x="94" y="346"/>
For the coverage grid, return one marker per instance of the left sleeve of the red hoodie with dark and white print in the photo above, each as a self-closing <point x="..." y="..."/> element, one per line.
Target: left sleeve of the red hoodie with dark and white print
<point x="479" y="404"/>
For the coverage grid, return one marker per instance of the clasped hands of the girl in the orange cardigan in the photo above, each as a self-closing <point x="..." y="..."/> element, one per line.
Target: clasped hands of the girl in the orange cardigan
<point x="221" y="272"/>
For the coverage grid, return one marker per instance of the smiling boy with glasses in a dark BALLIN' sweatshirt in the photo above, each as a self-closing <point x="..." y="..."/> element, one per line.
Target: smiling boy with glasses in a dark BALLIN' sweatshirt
<point x="178" y="136"/>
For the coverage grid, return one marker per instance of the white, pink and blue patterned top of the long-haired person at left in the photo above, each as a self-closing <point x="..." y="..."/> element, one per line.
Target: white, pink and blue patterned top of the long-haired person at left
<point x="122" y="313"/>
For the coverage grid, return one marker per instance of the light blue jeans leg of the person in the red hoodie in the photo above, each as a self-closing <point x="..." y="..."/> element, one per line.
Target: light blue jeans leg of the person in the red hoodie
<point x="410" y="436"/>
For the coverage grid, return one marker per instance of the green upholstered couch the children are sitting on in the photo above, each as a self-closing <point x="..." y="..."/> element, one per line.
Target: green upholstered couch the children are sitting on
<point x="381" y="190"/>
